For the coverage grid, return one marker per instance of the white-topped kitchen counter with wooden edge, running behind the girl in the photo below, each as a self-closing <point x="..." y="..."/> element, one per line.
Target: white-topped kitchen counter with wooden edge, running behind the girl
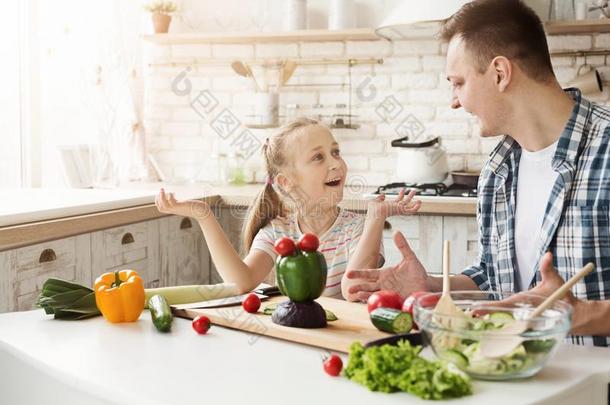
<point x="30" y="216"/>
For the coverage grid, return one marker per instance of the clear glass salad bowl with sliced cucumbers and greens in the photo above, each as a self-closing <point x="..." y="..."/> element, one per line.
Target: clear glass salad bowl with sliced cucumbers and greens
<point x="457" y="339"/>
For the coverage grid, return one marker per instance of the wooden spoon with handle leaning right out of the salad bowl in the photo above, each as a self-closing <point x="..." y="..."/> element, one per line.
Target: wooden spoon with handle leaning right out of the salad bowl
<point x="506" y="339"/>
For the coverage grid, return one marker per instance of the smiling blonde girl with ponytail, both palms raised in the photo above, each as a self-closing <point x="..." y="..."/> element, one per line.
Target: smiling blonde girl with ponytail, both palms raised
<point x="305" y="180"/>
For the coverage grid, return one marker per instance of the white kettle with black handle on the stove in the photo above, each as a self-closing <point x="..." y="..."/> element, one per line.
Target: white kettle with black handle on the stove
<point x="420" y="162"/>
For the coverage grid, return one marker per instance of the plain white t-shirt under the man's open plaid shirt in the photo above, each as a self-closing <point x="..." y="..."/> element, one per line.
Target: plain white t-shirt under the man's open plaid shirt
<point x="535" y="182"/>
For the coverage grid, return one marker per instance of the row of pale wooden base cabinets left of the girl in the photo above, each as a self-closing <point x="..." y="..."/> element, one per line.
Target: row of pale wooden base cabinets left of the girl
<point x="166" y="251"/>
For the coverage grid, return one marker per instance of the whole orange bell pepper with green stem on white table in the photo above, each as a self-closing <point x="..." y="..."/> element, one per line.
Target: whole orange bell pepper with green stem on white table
<point x="120" y="295"/>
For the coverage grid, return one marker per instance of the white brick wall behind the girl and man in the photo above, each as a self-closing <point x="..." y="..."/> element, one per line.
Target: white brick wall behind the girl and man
<point x="412" y="73"/>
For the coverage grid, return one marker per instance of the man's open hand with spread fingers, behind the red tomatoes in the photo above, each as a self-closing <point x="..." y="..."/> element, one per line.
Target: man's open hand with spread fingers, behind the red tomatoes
<point x="405" y="278"/>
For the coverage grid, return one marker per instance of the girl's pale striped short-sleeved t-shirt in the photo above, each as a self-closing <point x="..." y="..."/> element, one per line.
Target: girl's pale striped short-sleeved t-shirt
<point x="337" y="244"/>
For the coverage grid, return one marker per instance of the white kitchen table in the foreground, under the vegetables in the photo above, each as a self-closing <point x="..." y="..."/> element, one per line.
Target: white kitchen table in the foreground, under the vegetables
<point x="94" y="362"/>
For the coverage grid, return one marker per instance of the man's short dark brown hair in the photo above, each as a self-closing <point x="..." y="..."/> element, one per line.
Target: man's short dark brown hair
<point x="509" y="28"/>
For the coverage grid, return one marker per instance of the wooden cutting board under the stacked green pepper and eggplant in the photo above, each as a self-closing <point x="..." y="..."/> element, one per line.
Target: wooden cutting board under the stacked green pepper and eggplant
<point x="353" y="324"/>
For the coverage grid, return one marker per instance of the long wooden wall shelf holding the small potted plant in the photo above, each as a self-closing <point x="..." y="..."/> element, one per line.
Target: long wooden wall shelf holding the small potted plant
<point x="356" y="34"/>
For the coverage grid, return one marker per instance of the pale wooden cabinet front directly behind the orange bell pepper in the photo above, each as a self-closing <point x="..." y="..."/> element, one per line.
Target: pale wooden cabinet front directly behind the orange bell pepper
<point x="133" y="246"/>
